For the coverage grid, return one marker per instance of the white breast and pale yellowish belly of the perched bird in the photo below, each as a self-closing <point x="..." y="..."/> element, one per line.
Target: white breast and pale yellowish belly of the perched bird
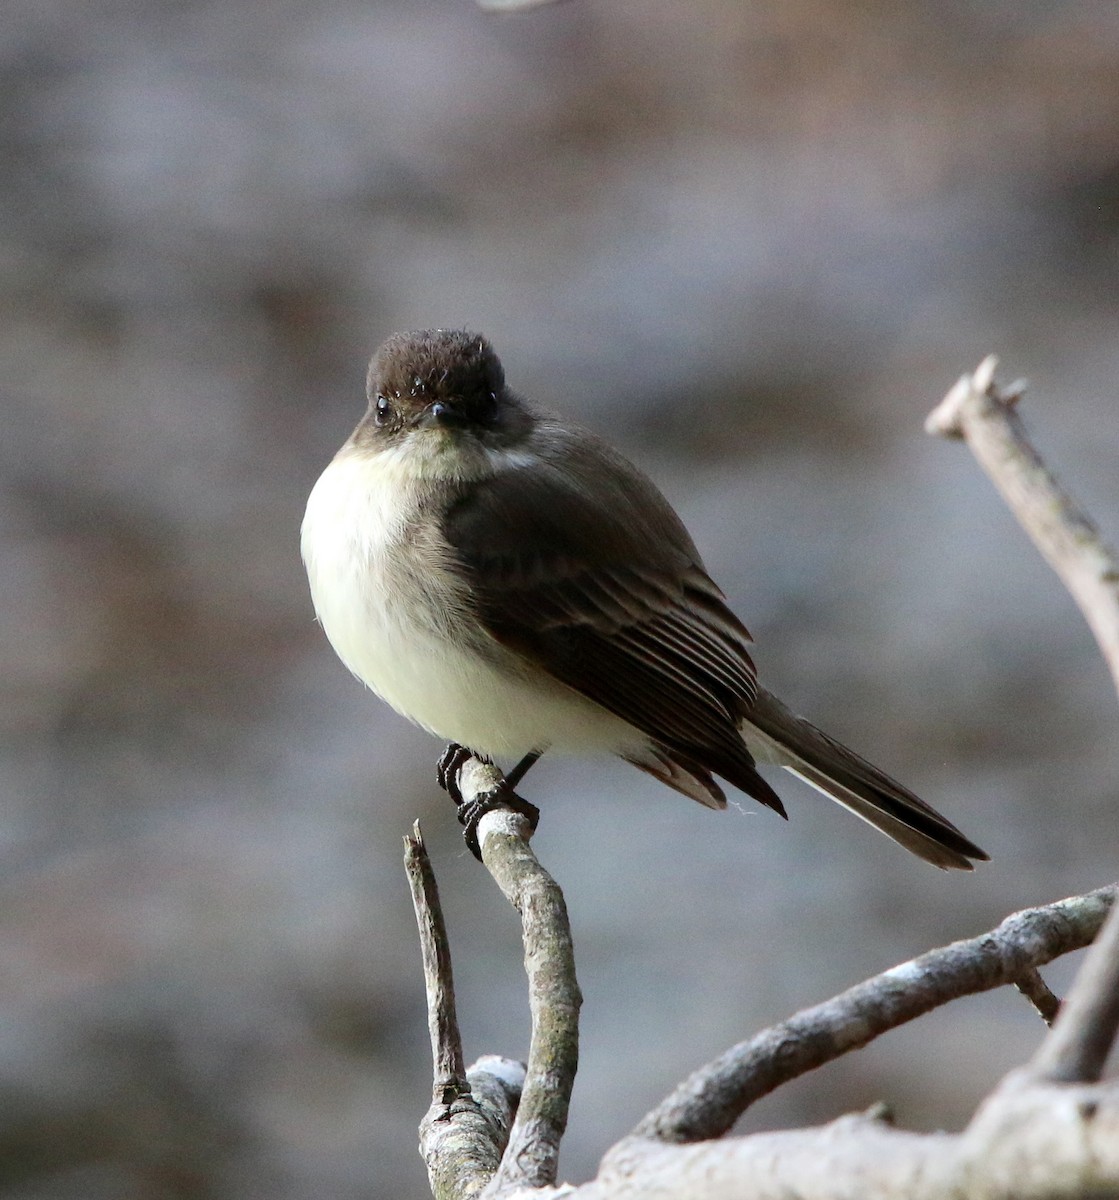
<point x="411" y="656"/>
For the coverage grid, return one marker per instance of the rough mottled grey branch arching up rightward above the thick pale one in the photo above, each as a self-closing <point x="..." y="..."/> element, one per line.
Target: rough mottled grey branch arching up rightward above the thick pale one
<point x="709" y="1102"/>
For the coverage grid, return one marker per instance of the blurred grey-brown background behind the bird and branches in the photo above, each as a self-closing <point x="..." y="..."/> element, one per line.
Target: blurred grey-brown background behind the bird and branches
<point x="755" y="244"/>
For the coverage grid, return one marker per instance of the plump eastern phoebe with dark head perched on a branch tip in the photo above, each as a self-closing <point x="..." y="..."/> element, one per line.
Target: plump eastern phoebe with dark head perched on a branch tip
<point x="510" y="583"/>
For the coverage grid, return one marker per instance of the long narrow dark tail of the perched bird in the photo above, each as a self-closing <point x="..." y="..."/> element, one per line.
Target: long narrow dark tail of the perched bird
<point x="775" y="735"/>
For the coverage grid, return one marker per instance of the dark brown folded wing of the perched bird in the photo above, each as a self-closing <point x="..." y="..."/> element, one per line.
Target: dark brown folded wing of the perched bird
<point x="612" y="599"/>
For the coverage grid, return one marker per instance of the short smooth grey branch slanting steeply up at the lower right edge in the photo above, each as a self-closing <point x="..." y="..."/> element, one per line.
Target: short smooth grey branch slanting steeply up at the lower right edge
<point x="1082" y="1039"/>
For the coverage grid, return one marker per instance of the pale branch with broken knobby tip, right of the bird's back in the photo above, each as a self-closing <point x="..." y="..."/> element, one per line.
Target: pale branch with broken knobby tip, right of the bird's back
<point x="1068" y="538"/>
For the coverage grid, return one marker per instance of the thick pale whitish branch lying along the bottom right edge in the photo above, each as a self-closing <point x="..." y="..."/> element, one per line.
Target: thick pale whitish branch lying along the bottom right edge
<point x="1030" y="1142"/>
